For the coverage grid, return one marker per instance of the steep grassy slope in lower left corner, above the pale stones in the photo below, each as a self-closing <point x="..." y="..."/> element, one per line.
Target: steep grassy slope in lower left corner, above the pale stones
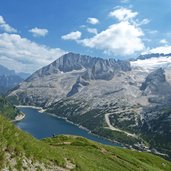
<point x="20" y="144"/>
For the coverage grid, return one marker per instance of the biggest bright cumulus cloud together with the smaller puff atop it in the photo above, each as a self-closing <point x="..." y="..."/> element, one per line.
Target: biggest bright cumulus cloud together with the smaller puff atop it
<point x="124" y="37"/>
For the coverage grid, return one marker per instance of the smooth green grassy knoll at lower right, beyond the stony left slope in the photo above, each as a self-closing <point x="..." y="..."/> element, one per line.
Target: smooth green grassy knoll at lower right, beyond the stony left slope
<point x="88" y="155"/>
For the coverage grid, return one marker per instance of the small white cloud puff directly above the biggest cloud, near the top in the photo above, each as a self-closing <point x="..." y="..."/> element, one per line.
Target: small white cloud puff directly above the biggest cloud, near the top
<point x="123" y="14"/>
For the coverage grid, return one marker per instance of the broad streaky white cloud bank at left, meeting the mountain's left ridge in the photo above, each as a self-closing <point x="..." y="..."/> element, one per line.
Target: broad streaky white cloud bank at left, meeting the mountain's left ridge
<point x="24" y="55"/>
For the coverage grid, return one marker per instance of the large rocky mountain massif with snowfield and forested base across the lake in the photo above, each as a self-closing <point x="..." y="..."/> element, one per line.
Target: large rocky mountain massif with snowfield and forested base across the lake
<point x="125" y="101"/>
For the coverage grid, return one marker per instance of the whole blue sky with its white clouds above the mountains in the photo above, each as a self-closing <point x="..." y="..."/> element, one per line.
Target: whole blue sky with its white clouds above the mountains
<point x="34" y="33"/>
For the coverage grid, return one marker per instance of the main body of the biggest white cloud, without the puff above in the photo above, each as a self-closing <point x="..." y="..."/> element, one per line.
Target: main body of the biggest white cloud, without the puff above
<point x="119" y="39"/>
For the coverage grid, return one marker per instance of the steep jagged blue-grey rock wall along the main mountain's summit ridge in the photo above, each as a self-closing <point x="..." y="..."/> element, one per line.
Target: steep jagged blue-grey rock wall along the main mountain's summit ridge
<point x="74" y="62"/>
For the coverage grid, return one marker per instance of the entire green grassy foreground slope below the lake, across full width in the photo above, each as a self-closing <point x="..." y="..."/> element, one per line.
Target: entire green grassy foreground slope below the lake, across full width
<point x="70" y="153"/>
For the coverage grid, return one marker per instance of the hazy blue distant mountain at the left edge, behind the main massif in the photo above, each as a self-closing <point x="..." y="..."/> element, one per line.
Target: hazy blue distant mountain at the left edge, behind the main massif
<point x="8" y="79"/>
